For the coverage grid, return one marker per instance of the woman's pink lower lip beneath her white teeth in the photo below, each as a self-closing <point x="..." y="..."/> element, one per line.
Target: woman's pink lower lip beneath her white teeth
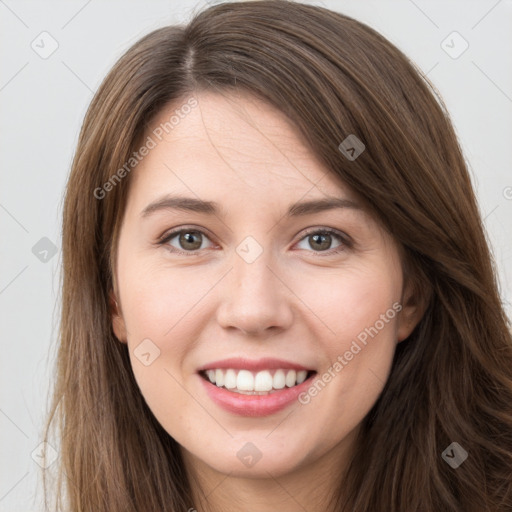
<point x="254" y="405"/>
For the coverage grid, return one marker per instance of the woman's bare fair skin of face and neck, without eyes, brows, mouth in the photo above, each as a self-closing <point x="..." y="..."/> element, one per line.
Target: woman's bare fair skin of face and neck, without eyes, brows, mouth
<point x="294" y="302"/>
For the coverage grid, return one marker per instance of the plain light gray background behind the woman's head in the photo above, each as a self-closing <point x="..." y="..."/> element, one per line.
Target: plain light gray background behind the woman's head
<point x="43" y="102"/>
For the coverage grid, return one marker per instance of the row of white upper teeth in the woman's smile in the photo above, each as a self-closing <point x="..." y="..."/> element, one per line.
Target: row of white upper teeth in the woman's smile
<point x="245" y="380"/>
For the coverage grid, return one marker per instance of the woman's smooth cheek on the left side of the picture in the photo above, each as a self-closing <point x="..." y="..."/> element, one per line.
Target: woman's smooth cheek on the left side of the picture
<point x="159" y="312"/>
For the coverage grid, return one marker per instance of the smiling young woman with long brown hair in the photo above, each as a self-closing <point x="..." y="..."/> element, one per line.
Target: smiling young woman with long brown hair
<point x="277" y="291"/>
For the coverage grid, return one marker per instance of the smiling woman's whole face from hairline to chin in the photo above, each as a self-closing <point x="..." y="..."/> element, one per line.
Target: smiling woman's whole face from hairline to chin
<point x="293" y="312"/>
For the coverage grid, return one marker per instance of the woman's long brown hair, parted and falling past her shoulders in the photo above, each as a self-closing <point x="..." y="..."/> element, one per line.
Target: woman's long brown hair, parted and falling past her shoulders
<point x="451" y="380"/>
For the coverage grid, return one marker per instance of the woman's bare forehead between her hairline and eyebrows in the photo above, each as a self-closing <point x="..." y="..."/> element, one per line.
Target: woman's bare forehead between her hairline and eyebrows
<point x="230" y="143"/>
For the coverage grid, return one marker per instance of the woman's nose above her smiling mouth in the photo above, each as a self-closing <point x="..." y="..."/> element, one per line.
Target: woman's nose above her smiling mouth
<point x="255" y="298"/>
